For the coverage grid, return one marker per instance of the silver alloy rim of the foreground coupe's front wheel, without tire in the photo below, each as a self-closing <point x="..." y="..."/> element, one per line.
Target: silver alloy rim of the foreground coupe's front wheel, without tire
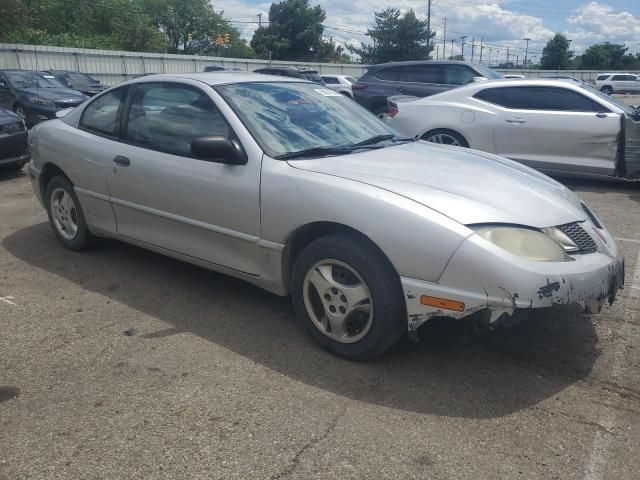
<point x="338" y="301"/>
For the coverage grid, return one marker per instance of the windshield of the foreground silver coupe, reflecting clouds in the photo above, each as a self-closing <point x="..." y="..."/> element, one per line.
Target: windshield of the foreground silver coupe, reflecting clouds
<point x="293" y="117"/>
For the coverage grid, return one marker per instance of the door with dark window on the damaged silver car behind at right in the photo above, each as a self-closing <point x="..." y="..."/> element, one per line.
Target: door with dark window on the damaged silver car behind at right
<point x="554" y="128"/>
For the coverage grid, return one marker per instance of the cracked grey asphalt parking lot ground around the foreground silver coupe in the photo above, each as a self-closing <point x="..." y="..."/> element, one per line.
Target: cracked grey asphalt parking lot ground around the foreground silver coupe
<point x="218" y="380"/>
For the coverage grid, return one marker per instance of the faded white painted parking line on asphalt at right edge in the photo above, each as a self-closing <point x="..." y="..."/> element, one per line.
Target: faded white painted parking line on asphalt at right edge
<point x="600" y="451"/>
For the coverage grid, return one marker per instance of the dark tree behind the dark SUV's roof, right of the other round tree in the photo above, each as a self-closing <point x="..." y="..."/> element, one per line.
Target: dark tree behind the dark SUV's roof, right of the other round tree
<point x="396" y="37"/>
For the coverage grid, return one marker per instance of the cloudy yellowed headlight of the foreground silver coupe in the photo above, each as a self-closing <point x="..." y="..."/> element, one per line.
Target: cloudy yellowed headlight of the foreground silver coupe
<point x="524" y="242"/>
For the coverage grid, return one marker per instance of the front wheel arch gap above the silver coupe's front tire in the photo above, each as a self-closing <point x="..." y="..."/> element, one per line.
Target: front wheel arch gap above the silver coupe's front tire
<point x="309" y="232"/>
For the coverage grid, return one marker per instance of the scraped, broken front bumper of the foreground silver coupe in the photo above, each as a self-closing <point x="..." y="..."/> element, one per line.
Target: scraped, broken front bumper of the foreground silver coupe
<point x="481" y="277"/>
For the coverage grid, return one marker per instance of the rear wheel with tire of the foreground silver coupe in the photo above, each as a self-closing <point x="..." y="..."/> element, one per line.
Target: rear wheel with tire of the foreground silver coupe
<point x="65" y="214"/>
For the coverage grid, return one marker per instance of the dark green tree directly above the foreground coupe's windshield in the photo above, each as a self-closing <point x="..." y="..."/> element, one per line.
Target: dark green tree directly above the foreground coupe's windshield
<point x="294" y="33"/>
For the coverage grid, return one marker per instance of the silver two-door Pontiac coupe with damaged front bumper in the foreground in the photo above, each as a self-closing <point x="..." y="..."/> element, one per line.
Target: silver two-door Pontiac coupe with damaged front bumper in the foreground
<point x="295" y="188"/>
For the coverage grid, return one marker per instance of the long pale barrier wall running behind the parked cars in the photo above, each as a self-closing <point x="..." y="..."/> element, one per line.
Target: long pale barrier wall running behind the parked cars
<point x="112" y="66"/>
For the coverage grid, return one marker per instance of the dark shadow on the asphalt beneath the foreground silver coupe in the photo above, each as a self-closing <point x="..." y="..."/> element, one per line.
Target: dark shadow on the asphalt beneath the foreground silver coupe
<point x="450" y="373"/>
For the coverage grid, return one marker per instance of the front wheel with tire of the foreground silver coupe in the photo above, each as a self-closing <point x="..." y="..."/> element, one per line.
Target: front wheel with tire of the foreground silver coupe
<point x="348" y="296"/>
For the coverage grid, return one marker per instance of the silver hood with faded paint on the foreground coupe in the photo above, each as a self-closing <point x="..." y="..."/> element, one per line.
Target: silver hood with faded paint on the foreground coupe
<point x="465" y="185"/>
